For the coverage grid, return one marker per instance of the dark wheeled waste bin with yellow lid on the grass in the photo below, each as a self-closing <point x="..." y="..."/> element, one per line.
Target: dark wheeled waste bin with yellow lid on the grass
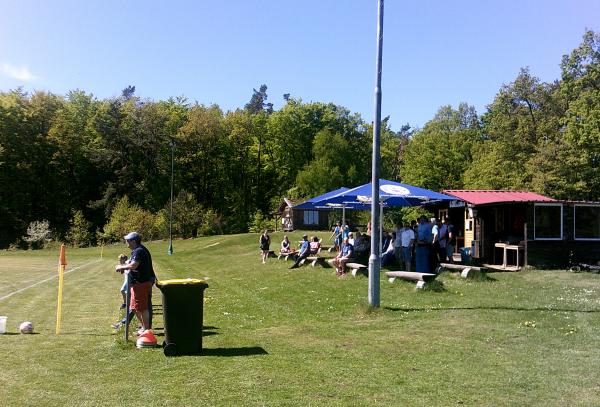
<point x="183" y="303"/>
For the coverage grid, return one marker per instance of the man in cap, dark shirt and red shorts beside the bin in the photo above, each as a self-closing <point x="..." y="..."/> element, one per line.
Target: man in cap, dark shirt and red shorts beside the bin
<point x="142" y="278"/>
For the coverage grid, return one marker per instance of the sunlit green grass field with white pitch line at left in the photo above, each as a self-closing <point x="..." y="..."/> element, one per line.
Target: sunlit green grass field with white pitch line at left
<point x="282" y="337"/>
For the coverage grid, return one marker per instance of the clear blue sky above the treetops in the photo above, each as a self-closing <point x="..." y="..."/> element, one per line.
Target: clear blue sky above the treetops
<point x="436" y="52"/>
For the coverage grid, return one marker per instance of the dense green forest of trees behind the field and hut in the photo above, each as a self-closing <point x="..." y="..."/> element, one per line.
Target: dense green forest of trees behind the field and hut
<point x="80" y="169"/>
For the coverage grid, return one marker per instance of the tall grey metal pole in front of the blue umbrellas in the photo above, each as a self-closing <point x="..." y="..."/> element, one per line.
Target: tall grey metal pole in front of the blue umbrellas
<point x="374" y="259"/>
